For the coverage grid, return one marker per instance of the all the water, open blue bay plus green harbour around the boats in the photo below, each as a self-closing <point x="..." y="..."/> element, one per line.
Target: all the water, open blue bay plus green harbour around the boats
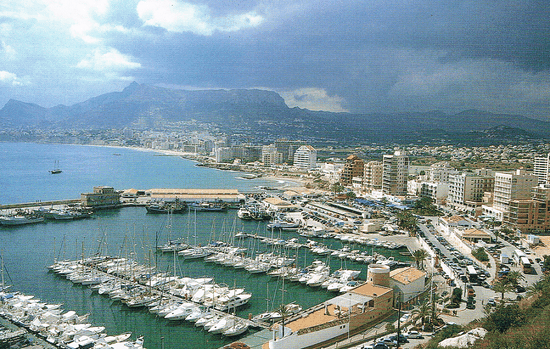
<point x="132" y="233"/>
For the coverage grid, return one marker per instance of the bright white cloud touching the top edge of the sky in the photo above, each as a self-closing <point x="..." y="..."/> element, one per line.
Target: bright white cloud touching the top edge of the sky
<point x="186" y="17"/>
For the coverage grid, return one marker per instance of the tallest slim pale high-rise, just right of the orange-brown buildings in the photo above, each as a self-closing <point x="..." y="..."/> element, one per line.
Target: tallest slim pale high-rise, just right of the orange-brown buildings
<point x="395" y="174"/>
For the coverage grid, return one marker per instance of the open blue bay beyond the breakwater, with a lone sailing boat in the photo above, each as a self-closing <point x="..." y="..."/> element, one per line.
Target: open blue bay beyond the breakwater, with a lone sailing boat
<point x="25" y="177"/>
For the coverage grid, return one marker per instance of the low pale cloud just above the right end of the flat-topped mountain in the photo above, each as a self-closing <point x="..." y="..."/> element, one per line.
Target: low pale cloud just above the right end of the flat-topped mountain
<point x="313" y="99"/>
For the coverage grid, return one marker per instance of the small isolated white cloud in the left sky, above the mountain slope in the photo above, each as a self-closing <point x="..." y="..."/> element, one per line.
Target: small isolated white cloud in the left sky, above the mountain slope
<point x="108" y="60"/>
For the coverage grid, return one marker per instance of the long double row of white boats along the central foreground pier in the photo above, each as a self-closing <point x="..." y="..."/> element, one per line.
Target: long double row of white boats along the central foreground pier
<point x="173" y="298"/>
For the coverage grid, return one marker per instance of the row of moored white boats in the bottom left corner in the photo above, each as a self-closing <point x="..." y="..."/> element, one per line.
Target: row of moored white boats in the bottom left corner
<point x="65" y="329"/>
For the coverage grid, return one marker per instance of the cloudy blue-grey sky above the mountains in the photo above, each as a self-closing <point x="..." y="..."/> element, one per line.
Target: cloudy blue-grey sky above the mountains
<point x="340" y="55"/>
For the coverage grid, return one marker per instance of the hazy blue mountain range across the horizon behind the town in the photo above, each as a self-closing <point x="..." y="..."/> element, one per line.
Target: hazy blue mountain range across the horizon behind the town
<point x="261" y="112"/>
